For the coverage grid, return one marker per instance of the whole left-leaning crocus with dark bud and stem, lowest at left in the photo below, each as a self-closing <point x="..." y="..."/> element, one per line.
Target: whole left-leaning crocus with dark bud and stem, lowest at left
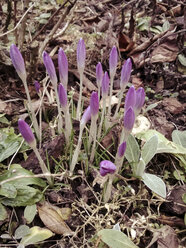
<point x="28" y="136"/>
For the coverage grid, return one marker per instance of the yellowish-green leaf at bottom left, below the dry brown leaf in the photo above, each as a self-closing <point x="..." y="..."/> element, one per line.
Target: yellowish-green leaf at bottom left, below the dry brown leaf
<point x="36" y="235"/>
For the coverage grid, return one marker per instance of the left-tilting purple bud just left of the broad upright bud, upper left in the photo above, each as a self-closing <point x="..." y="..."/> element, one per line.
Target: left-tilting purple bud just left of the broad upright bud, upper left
<point x="49" y="65"/>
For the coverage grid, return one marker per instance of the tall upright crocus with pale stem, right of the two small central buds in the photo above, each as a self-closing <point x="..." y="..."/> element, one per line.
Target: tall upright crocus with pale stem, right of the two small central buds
<point x="113" y="60"/>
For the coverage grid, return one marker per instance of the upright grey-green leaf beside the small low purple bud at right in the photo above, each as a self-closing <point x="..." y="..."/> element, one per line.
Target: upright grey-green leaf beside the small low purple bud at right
<point x="132" y="152"/>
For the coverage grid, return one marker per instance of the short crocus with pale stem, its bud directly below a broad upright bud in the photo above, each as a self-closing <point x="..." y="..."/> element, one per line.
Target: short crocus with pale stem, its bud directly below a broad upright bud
<point x="64" y="104"/>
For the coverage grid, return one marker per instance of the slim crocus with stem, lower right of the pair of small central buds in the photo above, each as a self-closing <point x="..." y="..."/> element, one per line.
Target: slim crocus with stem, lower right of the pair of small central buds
<point x="105" y="89"/>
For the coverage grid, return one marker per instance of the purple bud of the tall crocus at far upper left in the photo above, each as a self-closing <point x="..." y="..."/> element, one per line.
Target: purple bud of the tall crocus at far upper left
<point x="18" y="62"/>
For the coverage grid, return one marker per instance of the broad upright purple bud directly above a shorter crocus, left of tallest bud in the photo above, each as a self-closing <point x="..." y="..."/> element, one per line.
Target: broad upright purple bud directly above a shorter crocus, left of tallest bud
<point x="63" y="67"/>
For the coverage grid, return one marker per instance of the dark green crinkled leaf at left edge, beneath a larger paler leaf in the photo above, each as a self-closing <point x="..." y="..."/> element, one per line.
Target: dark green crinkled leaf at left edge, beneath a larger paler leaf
<point x="26" y="195"/>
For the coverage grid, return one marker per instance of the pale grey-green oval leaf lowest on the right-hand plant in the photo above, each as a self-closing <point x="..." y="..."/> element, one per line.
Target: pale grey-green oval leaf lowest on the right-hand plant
<point x="155" y="183"/>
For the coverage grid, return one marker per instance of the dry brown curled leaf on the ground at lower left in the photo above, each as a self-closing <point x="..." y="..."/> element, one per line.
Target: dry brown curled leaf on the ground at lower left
<point x="53" y="219"/>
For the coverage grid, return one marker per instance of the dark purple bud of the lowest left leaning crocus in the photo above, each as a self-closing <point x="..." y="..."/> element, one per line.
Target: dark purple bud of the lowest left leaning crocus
<point x="26" y="132"/>
